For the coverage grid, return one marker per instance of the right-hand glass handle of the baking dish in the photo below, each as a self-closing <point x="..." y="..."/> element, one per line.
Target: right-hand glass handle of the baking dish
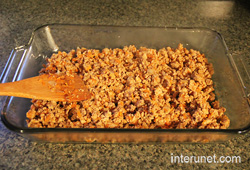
<point x="243" y="71"/>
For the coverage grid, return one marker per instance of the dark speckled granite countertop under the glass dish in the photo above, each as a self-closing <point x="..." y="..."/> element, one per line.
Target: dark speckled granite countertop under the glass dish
<point x="19" y="18"/>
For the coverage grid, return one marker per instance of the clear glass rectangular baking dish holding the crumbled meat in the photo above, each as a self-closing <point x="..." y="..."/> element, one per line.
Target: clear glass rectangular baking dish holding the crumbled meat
<point x="231" y="80"/>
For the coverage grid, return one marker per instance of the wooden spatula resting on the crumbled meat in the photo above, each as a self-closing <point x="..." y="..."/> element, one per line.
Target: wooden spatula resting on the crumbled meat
<point x="48" y="87"/>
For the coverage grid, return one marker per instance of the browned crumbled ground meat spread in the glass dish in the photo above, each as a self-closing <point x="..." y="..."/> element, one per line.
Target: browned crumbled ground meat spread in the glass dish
<point x="134" y="88"/>
